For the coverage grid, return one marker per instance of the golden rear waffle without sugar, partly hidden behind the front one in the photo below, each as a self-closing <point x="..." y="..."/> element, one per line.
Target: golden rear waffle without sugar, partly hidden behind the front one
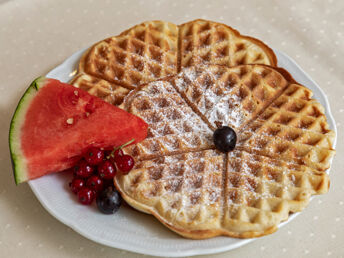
<point x="156" y="49"/>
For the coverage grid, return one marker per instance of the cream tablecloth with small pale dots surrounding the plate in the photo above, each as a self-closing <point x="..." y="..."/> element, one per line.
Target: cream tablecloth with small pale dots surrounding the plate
<point x="37" y="35"/>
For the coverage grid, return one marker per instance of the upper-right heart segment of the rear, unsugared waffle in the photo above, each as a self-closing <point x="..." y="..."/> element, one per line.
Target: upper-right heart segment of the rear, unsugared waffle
<point x="204" y="41"/>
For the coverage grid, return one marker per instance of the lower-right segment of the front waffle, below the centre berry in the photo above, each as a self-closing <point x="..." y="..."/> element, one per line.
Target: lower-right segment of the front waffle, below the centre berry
<point x="261" y="192"/>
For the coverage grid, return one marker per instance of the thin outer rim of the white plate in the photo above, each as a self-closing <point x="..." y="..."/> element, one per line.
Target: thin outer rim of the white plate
<point x="177" y="253"/>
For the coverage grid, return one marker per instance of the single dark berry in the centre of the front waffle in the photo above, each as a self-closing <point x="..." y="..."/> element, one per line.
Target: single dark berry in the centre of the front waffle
<point x="224" y="139"/>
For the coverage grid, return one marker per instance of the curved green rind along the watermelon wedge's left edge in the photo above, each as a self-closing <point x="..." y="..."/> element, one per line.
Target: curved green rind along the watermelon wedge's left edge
<point x="17" y="156"/>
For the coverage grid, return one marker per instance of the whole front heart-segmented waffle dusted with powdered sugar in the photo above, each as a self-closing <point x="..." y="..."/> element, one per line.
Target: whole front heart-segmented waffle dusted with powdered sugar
<point x="199" y="192"/>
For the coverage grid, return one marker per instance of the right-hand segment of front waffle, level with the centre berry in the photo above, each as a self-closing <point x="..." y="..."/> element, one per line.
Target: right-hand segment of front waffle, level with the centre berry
<point x="294" y="128"/>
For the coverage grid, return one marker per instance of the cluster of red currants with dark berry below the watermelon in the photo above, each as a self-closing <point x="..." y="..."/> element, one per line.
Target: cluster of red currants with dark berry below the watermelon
<point x="93" y="177"/>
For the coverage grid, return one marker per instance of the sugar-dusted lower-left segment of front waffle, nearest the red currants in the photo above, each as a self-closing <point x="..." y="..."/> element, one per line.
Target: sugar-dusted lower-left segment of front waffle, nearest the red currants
<point x="183" y="187"/>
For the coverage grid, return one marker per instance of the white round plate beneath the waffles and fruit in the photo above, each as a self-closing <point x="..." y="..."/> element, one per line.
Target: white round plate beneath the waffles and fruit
<point x="128" y="229"/>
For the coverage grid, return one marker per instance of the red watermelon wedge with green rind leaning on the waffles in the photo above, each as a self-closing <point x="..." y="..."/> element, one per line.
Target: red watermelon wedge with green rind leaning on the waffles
<point x="55" y="123"/>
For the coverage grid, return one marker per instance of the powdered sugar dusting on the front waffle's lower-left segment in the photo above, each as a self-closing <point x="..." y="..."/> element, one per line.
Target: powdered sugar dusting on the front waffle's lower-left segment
<point x="192" y="186"/>
